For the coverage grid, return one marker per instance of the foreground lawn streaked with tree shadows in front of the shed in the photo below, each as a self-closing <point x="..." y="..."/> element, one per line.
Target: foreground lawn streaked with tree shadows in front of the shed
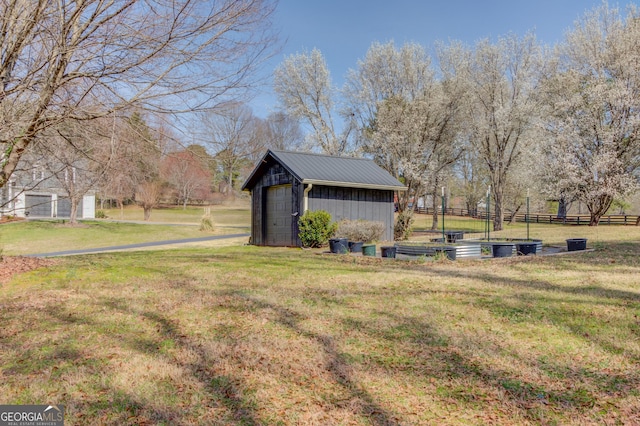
<point x="250" y="335"/>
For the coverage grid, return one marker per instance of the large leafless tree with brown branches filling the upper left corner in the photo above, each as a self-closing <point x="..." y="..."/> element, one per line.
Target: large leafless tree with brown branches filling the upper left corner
<point x="80" y="60"/>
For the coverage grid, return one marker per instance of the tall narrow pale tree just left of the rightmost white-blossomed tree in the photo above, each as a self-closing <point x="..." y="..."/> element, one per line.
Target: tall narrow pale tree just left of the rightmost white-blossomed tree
<point x="502" y="80"/>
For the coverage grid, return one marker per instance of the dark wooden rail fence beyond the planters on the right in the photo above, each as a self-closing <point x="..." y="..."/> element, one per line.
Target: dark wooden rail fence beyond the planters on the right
<point x="614" y="219"/>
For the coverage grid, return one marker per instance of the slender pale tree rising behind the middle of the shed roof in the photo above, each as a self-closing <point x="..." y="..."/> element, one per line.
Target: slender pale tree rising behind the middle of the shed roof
<point x="304" y="88"/>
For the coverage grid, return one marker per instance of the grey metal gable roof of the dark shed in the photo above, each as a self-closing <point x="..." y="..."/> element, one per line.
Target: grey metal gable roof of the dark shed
<point x="327" y="170"/>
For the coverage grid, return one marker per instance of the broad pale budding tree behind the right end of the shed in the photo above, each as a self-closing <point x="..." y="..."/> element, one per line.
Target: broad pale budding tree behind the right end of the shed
<point x="408" y="117"/>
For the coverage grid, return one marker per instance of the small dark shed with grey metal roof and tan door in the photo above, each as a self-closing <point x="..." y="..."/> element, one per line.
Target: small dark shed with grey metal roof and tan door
<point x="286" y="184"/>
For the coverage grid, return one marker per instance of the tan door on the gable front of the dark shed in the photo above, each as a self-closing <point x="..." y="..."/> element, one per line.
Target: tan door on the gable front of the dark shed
<point x="278" y="216"/>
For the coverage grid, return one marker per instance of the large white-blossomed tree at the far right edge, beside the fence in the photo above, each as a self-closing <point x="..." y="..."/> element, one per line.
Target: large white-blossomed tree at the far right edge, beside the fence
<point x="594" y="113"/>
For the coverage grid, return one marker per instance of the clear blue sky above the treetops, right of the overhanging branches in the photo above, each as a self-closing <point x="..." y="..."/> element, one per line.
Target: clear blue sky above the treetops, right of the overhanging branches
<point x="344" y="30"/>
